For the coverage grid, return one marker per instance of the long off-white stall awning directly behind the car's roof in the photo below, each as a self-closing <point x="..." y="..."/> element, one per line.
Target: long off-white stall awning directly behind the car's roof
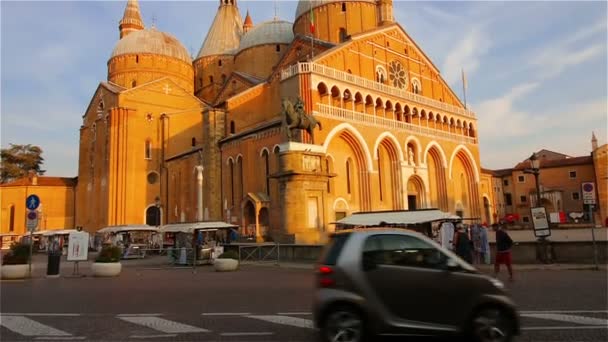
<point x="402" y="217"/>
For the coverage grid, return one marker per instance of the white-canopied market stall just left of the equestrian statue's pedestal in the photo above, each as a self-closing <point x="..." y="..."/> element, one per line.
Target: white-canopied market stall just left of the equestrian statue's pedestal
<point x="199" y="241"/>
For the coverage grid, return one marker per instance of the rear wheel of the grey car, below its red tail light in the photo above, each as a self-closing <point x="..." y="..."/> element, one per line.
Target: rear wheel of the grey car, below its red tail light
<point x="342" y="324"/>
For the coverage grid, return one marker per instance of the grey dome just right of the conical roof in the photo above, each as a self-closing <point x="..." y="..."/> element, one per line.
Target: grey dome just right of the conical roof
<point x="269" y="32"/>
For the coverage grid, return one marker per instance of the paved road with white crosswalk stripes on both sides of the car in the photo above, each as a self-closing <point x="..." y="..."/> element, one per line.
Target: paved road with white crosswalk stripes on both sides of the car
<point x="253" y="304"/>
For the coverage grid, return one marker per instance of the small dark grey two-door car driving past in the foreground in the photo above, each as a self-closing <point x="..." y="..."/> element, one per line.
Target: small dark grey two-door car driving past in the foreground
<point x="398" y="282"/>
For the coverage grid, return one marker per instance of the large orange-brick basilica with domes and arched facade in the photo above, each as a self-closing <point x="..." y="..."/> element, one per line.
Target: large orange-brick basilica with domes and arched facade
<point x="281" y="127"/>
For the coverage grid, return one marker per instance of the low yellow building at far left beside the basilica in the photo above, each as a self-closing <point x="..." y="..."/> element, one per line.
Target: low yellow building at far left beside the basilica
<point x="56" y="210"/>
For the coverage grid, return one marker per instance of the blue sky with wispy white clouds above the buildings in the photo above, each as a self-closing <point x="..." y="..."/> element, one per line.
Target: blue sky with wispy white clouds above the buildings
<point x="536" y="71"/>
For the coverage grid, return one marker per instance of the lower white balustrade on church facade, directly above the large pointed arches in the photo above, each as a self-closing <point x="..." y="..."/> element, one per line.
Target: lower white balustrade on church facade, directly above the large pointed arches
<point x="341" y="114"/>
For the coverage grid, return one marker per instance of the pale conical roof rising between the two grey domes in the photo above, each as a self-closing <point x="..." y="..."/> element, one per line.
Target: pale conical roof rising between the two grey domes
<point x="225" y="32"/>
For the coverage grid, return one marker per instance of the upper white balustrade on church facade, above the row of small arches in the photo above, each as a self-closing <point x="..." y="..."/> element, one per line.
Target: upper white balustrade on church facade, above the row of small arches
<point x="318" y="69"/>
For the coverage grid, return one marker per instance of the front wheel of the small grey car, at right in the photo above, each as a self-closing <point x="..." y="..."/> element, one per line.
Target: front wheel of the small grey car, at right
<point x="492" y="325"/>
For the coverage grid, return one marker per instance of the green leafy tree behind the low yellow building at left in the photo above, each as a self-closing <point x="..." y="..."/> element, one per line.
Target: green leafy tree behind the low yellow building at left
<point x="19" y="160"/>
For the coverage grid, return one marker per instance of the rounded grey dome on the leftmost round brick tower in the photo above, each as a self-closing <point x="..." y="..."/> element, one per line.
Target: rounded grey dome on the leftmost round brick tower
<point x="151" y="41"/>
